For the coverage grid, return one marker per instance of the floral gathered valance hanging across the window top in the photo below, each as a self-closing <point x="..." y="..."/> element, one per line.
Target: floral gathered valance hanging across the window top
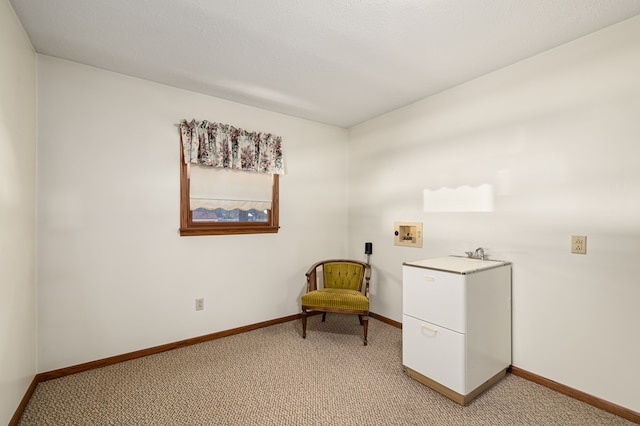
<point x="224" y="146"/>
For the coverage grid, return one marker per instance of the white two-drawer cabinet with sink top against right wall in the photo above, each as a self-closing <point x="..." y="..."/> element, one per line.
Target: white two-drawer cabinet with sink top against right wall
<point x="456" y="324"/>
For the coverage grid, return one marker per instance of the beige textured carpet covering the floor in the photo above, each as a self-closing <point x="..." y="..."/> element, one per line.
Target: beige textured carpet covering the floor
<point x="272" y="376"/>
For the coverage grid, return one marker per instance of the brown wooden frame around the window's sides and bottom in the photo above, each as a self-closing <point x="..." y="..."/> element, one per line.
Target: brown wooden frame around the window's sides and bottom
<point x="190" y="228"/>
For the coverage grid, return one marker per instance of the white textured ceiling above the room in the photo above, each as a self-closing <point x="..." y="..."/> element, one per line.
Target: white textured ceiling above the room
<point x="339" y="62"/>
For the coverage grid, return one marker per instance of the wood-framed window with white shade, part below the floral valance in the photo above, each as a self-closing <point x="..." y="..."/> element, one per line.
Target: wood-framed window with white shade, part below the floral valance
<point x="220" y="202"/>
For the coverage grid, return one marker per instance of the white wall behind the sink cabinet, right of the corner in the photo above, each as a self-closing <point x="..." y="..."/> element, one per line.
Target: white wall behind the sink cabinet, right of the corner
<point x="557" y="137"/>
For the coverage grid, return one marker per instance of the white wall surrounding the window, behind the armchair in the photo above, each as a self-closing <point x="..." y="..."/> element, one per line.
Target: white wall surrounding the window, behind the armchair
<point x="114" y="276"/>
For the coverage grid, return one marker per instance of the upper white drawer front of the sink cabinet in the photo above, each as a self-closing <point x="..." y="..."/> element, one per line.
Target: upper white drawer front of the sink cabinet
<point x="435" y="296"/>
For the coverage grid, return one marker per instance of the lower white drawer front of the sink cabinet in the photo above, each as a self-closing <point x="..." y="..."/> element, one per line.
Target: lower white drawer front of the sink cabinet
<point x="434" y="352"/>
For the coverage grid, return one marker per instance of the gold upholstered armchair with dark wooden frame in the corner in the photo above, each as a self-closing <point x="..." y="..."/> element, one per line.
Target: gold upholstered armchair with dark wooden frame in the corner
<point x="345" y="289"/>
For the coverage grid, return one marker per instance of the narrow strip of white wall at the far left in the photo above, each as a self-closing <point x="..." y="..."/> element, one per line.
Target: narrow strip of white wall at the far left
<point x="17" y="212"/>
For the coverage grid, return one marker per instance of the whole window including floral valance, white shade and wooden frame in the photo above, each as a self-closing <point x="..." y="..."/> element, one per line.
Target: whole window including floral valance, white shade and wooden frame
<point x="228" y="179"/>
